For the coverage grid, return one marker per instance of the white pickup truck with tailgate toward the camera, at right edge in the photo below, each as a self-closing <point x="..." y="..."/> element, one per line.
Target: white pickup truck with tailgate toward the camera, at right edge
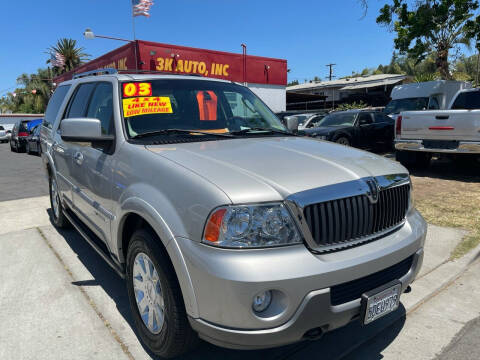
<point x="420" y="134"/>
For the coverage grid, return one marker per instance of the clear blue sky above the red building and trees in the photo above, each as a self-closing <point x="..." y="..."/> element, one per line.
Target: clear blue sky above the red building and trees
<point x="309" y="34"/>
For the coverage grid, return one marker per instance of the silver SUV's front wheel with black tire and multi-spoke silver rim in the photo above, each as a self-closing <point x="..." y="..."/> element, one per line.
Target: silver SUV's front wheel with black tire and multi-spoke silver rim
<point x="173" y="336"/>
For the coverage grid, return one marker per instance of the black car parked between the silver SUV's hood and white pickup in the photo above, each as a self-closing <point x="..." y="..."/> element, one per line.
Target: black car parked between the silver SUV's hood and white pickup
<point x="362" y="129"/>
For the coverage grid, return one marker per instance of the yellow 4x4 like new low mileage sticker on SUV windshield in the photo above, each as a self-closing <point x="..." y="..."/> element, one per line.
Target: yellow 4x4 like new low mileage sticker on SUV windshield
<point x="147" y="105"/>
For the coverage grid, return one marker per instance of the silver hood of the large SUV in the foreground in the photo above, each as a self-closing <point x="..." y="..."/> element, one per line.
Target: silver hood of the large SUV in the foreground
<point x="252" y="170"/>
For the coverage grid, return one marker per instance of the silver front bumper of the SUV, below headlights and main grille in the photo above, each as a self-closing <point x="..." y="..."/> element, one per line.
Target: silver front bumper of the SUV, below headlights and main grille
<point x="225" y="282"/>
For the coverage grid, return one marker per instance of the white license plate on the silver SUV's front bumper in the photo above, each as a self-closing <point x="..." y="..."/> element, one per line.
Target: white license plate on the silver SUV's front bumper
<point x="381" y="301"/>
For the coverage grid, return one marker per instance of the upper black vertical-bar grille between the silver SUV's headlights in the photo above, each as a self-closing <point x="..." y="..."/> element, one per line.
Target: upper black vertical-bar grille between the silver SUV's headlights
<point x="340" y="221"/>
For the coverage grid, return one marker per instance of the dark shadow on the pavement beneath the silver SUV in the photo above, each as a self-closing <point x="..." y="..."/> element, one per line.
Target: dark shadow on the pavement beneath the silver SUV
<point x="333" y="345"/>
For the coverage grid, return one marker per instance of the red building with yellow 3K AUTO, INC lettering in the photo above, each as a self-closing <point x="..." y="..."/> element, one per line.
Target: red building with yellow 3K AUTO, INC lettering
<point x="267" y="77"/>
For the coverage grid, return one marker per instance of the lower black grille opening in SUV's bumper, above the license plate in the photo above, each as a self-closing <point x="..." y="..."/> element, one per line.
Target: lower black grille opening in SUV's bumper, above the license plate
<point x="340" y="294"/>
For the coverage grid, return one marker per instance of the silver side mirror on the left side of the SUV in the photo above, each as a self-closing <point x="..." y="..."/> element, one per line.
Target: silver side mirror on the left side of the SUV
<point x="83" y="130"/>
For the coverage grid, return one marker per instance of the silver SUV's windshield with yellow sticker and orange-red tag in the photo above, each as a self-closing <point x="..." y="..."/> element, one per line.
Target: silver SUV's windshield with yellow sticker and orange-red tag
<point x="203" y="105"/>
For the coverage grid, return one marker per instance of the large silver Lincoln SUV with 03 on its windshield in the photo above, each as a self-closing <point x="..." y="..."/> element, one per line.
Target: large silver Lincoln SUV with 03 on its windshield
<point x="225" y="224"/>
